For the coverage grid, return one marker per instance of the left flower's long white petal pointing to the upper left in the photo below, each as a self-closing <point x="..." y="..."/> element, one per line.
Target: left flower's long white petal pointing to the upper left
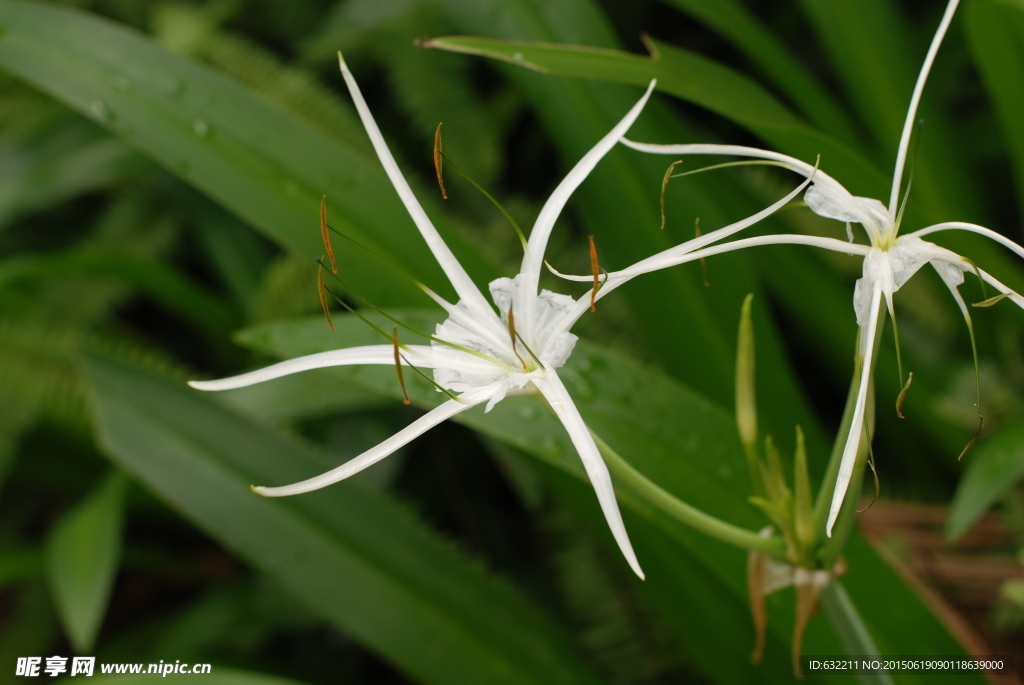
<point x="463" y="285"/>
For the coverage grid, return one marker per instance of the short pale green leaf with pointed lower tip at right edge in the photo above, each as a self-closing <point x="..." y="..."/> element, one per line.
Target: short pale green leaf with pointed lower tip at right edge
<point x="993" y="469"/>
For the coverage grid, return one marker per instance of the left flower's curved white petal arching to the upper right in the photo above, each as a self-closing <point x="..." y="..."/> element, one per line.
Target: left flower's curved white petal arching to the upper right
<point x="533" y="261"/>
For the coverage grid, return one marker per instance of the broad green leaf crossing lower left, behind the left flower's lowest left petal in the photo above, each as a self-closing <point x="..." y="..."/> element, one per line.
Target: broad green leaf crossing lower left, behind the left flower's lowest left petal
<point x="350" y="553"/>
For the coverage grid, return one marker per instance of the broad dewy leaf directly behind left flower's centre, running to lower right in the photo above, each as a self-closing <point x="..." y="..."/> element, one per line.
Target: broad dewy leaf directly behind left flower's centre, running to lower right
<point x="686" y="445"/>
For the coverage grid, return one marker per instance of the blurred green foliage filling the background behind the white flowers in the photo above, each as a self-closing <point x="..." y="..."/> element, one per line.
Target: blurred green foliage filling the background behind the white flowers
<point x="161" y="168"/>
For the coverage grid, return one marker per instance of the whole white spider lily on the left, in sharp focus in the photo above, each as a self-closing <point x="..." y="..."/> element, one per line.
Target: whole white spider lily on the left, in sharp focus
<point x="479" y="354"/>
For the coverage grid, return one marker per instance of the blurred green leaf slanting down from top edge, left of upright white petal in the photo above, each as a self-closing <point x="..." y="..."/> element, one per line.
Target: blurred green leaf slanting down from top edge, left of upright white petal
<point x="770" y="56"/>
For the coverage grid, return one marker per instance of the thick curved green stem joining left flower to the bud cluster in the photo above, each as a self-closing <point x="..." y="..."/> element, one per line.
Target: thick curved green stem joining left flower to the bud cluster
<point x="681" y="511"/>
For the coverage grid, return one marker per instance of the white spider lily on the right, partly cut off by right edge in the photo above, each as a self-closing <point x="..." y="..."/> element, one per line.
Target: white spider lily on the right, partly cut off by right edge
<point x="889" y="263"/>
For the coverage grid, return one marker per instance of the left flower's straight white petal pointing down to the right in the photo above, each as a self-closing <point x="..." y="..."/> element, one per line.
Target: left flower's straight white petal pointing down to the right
<point x="557" y="395"/>
